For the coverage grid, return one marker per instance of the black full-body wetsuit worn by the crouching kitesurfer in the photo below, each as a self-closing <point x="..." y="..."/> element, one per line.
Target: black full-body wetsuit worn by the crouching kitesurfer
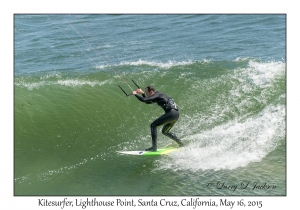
<point x="168" y="119"/>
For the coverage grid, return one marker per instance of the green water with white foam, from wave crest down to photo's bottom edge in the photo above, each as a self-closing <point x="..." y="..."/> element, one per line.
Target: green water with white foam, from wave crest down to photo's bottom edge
<point x="232" y="118"/>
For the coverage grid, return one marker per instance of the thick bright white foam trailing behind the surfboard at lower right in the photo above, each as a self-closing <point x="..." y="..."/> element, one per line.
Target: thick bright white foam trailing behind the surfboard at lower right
<point x="231" y="145"/>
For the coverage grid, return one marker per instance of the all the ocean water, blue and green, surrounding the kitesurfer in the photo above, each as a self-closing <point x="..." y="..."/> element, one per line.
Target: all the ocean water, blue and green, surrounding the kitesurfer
<point x="226" y="73"/>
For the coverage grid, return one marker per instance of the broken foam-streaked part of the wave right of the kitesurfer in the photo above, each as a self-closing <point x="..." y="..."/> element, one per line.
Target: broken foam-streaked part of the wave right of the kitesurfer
<point x="242" y="121"/>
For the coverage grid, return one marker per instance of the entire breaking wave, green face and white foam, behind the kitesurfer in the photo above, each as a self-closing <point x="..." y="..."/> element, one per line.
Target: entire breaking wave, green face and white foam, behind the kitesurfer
<point x="228" y="109"/>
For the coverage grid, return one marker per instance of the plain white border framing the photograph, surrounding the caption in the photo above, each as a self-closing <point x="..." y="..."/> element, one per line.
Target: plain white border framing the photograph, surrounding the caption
<point x="9" y="8"/>
